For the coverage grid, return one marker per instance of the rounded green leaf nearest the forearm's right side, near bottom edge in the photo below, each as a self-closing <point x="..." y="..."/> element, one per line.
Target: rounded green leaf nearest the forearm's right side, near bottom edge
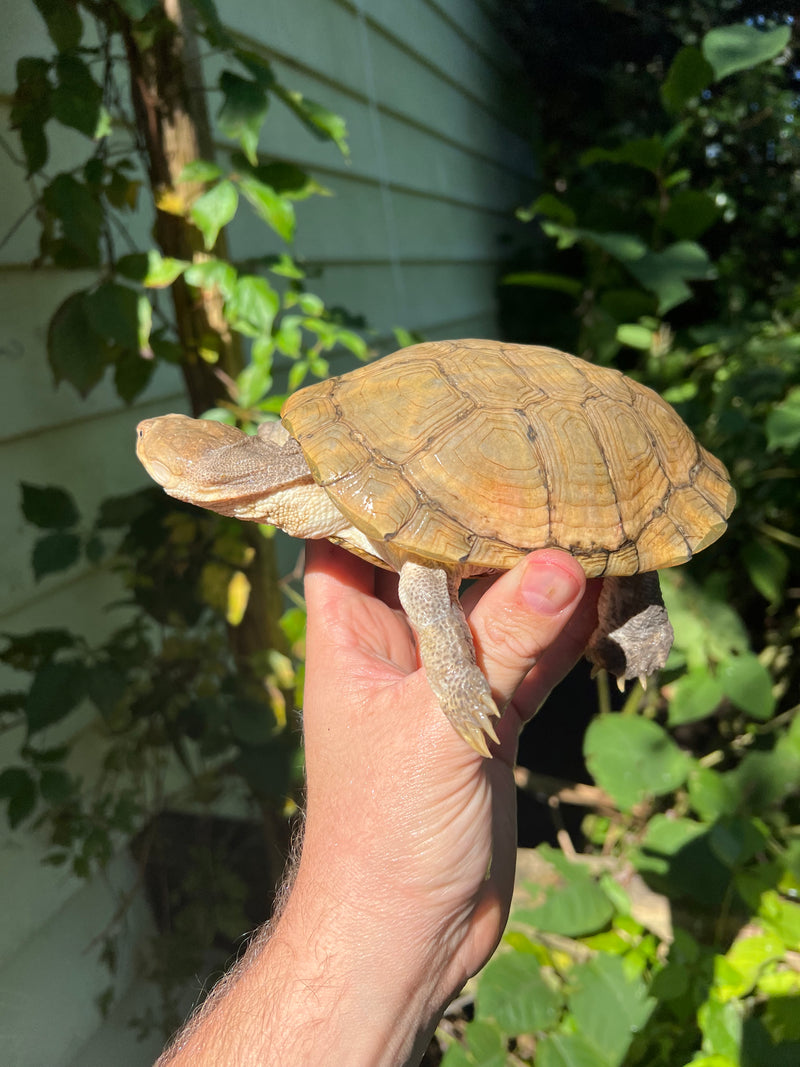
<point x="514" y="993"/>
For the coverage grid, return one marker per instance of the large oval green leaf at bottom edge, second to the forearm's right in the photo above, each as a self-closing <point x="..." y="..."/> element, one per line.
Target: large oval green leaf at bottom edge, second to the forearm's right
<point x="609" y="1006"/>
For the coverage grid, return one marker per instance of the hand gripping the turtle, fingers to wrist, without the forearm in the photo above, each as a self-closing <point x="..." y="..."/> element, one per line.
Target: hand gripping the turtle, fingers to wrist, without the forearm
<point x="408" y="827"/>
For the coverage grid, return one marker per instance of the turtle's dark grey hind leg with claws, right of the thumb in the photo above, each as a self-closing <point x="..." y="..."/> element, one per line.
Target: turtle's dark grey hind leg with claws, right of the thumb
<point x="634" y="635"/>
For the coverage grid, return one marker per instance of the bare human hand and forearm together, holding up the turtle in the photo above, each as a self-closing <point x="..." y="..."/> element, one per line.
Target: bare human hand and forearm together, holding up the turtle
<point x="408" y="862"/>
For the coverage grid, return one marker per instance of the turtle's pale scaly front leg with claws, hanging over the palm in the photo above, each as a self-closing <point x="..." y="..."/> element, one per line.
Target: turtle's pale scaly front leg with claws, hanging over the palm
<point x="430" y="598"/>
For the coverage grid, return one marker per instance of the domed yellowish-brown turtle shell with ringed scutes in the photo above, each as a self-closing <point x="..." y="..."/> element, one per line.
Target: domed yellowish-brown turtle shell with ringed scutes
<point x="474" y="453"/>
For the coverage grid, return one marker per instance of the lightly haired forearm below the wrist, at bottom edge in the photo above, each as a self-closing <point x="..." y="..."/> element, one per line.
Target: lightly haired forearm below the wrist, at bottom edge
<point x="331" y="983"/>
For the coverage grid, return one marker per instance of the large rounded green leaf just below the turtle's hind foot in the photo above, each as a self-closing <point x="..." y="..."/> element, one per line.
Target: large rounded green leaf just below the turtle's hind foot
<point x="633" y="758"/>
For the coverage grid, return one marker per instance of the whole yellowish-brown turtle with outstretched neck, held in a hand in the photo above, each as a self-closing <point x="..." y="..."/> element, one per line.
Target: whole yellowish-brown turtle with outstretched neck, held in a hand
<point x="452" y="459"/>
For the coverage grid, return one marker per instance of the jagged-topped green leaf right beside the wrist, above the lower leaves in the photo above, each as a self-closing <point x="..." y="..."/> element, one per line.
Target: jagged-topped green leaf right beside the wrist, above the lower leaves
<point x="574" y="907"/>
